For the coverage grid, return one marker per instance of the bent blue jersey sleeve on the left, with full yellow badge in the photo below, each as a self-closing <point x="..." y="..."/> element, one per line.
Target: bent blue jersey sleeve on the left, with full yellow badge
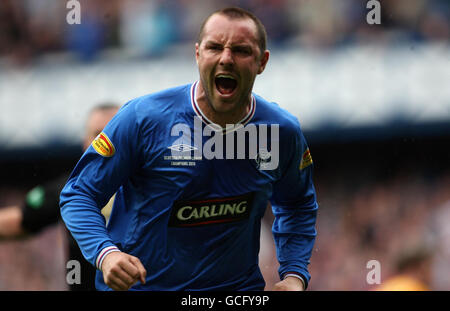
<point x="105" y="165"/>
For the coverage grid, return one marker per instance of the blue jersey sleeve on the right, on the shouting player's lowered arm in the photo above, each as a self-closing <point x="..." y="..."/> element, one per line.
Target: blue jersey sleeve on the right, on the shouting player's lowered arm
<point x="295" y="207"/>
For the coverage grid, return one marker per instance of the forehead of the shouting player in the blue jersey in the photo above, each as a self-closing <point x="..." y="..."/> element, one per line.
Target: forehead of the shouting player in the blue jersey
<point x="230" y="30"/>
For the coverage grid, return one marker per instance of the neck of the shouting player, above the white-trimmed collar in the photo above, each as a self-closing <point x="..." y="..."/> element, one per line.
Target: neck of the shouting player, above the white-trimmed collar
<point x="221" y="118"/>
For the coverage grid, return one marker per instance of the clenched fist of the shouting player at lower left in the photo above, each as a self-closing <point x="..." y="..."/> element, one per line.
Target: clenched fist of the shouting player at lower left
<point x="121" y="271"/>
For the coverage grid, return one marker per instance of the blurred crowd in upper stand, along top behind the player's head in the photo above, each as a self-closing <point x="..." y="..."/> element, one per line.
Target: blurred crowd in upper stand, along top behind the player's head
<point x="29" y="28"/>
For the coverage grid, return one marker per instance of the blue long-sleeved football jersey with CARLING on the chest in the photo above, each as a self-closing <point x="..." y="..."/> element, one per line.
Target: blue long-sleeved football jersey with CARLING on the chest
<point x="190" y="196"/>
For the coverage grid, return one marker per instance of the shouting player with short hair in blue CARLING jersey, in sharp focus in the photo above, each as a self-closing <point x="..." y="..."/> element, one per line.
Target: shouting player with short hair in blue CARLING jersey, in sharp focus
<point x="195" y="224"/>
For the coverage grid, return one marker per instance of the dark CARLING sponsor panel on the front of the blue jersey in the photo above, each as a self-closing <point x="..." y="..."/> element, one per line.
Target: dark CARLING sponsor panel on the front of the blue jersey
<point x="211" y="211"/>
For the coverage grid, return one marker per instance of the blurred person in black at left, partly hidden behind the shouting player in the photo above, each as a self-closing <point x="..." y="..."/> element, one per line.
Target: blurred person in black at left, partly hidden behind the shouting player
<point x="41" y="205"/>
